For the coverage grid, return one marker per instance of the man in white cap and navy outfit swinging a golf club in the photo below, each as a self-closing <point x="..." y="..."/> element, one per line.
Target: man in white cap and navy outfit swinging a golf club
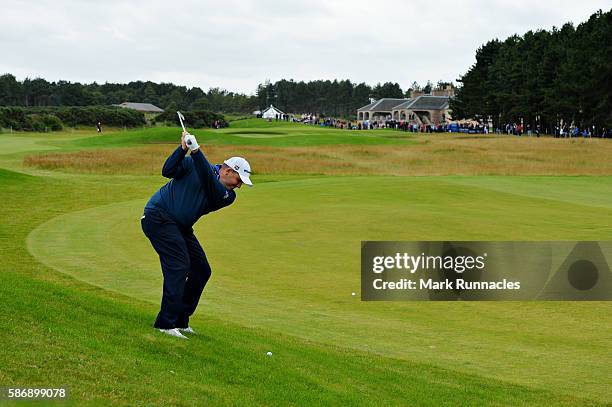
<point x="195" y="189"/>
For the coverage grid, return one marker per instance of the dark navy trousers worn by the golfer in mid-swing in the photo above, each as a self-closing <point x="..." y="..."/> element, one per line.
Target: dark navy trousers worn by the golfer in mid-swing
<point x="184" y="266"/>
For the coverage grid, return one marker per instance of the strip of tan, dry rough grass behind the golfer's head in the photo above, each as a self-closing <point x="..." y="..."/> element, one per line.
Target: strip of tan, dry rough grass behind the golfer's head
<point x="432" y="155"/>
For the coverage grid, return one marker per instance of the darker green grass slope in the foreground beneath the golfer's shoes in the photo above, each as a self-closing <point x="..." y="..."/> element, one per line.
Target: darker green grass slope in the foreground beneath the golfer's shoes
<point x="97" y="347"/>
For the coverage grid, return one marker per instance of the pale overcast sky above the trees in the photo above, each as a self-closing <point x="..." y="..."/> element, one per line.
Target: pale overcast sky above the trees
<point x="236" y="45"/>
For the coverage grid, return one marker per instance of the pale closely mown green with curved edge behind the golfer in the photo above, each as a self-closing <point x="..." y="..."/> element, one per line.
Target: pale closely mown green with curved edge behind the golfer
<point x="286" y="258"/>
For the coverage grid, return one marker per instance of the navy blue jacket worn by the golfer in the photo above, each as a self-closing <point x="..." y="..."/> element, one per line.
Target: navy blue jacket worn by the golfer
<point x="193" y="191"/>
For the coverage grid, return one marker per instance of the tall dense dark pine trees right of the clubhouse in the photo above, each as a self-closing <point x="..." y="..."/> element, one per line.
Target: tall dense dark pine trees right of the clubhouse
<point x="547" y="78"/>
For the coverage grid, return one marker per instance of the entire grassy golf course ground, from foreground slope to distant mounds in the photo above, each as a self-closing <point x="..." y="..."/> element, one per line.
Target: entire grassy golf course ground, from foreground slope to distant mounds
<point x="82" y="283"/>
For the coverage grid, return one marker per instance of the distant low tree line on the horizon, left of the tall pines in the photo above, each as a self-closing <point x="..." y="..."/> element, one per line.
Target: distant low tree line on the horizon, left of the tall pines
<point x="338" y="98"/>
